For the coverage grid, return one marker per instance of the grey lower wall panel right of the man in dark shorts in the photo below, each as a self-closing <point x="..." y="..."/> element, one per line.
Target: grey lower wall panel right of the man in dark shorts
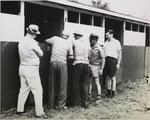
<point x="133" y="62"/>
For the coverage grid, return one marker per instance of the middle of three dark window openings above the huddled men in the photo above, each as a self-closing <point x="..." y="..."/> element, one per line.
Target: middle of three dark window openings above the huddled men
<point x="86" y="19"/>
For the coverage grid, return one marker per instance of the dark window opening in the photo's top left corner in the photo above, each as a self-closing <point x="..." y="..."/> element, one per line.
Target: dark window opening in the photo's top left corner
<point x="10" y="7"/>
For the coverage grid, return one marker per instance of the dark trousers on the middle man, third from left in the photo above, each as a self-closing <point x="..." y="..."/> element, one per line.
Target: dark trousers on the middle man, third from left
<point x="81" y="82"/>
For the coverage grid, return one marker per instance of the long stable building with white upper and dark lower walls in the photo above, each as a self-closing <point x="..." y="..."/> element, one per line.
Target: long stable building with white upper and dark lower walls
<point x="53" y="16"/>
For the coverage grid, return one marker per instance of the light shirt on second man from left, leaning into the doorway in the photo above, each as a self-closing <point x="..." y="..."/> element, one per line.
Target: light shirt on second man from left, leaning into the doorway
<point x="60" y="49"/>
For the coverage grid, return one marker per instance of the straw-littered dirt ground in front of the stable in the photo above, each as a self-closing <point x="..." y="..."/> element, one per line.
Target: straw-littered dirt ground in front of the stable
<point x="128" y="104"/>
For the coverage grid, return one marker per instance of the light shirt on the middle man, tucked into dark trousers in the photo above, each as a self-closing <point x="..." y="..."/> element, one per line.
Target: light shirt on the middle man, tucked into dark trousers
<point x="81" y="49"/>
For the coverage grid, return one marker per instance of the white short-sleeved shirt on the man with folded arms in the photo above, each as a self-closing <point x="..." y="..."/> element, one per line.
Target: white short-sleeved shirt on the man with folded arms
<point x="28" y="49"/>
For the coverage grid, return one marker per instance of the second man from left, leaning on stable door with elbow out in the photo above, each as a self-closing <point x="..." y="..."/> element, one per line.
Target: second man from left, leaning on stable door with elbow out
<point x="58" y="76"/>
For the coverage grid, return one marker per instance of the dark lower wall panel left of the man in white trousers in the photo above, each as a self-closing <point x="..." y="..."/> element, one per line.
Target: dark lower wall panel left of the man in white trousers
<point x="9" y="74"/>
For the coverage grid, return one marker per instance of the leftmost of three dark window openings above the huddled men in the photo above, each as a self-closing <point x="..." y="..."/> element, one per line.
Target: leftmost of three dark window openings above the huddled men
<point x="73" y="17"/>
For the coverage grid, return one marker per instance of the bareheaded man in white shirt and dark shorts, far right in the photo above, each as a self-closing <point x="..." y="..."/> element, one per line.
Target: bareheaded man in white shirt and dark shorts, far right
<point x="112" y="49"/>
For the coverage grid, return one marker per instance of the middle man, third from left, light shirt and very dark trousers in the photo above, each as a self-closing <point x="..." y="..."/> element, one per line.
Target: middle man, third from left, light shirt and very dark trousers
<point x="81" y="73"/>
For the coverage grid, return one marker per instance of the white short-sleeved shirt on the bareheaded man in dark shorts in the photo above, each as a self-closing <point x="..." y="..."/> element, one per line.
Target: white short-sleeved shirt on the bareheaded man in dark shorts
<point x="112" y="48"/>
